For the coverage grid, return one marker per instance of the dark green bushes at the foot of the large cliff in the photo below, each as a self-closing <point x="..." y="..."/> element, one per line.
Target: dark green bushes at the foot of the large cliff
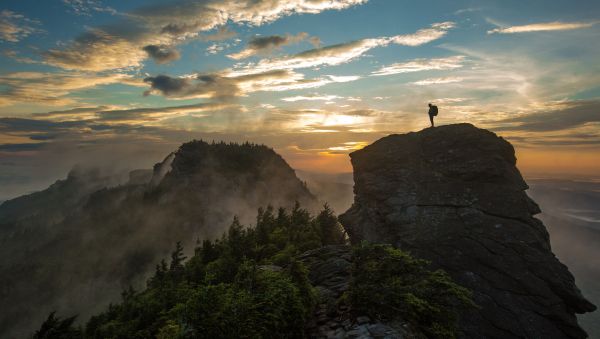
<point x="388" y="284"/>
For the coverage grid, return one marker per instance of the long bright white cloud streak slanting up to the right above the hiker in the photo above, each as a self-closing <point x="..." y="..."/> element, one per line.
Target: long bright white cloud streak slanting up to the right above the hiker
<point x="342" y="53"/>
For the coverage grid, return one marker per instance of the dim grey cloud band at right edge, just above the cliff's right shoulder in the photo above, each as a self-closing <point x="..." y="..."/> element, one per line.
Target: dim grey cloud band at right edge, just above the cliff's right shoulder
<point x="563" y="116"/>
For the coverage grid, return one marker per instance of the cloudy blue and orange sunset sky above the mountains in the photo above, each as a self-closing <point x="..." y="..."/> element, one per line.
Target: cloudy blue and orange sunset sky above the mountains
<point x="120" y="84"/>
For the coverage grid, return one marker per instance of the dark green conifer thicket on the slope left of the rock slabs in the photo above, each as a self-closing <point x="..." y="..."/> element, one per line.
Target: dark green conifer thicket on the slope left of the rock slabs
<point x="245" y="284"/>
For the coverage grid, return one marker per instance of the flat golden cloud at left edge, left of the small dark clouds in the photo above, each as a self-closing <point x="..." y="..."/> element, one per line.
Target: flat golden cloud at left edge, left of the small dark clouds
<point x="54" y="88"/>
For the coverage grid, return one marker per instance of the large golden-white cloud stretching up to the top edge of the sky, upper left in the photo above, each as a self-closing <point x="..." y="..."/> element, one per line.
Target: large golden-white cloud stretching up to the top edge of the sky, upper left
<point x="120" y="45"/>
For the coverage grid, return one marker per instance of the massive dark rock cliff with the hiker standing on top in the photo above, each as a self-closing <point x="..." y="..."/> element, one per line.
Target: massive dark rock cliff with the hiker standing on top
<point x="453" y="195"/>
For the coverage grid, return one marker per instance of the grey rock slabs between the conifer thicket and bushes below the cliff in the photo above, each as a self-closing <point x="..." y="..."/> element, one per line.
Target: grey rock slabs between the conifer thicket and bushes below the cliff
<point x="329" y="271"/>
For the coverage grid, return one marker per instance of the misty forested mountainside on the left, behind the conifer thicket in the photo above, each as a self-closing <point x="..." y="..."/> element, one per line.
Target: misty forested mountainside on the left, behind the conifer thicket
<point x="76" y="245"/>
